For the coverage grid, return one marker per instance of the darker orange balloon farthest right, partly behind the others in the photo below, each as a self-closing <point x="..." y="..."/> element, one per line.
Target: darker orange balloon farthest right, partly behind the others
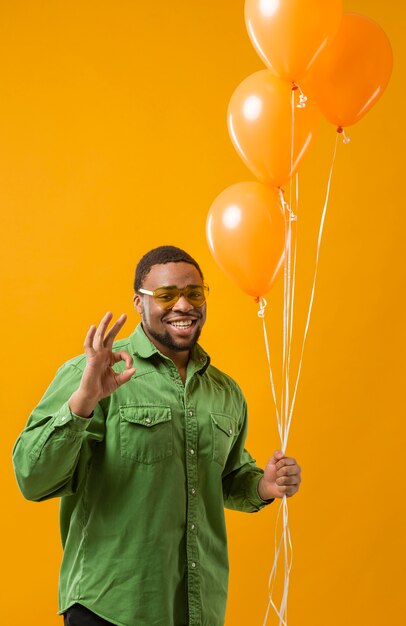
<point x="352" y="72"/>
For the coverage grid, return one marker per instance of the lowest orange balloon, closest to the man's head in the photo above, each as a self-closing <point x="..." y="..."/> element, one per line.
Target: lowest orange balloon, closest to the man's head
<point x="246" y="235"/>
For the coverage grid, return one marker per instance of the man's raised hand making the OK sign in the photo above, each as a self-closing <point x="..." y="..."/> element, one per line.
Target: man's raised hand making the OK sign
<point x="99" y="380"/>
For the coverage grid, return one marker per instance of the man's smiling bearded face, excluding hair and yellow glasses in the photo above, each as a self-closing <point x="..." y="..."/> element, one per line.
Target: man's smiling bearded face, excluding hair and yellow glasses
<point x="174" y="330"/>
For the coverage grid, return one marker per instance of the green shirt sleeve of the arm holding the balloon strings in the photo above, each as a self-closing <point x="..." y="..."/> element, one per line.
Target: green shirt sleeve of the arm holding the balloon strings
<point x="241" y="475"/>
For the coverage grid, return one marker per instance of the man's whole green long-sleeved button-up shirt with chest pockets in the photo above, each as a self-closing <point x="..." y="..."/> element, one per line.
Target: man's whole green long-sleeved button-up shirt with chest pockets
<point x="143" y="484"/>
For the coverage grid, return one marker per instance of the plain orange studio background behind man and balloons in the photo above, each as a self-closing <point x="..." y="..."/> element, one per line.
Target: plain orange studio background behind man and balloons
<point x="113" y="140"/>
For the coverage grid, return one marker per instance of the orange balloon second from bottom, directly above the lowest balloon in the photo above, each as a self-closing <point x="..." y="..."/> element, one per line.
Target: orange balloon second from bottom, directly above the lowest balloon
<point x="260" y="126"/>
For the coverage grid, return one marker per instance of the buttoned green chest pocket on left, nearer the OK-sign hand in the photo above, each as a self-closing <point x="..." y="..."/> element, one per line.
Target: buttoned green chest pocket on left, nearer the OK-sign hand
<point x="146" y="433"/>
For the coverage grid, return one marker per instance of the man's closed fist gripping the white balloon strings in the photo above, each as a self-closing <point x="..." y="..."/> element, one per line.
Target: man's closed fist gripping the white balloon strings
<point x="281" y="477"/>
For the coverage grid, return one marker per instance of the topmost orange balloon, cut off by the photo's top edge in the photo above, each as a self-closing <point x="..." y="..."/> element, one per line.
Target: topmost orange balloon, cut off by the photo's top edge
<point x="289" y="34"/>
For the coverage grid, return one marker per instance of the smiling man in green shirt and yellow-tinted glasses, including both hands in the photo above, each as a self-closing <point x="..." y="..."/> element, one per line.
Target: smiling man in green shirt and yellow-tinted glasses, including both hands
<point x="143" y="439"/>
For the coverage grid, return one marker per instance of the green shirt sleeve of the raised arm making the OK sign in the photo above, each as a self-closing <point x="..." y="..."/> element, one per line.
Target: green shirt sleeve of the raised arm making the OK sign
<point x="51" y="454"/>
